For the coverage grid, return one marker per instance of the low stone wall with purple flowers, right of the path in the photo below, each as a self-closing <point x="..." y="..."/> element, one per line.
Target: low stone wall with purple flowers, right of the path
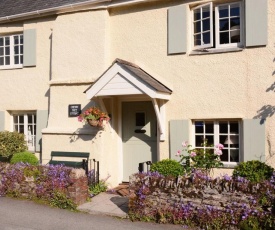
<point x="200" y="201"/>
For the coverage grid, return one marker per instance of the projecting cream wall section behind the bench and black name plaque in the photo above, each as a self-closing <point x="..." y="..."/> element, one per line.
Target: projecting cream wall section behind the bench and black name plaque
<point x="80" y="50"/>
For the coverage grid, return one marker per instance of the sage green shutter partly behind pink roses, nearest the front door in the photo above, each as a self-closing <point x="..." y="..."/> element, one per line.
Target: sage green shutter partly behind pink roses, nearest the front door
<point x="179" y="132"/>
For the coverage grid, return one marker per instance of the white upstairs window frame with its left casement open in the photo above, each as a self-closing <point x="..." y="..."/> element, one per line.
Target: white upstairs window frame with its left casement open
<point x="216" y="28"/>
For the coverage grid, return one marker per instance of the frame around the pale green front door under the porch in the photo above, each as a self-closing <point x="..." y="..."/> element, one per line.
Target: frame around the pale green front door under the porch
<point x="131" y="99"/>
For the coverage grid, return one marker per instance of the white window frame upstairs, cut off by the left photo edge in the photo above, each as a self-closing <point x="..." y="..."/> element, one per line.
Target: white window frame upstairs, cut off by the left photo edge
<point x="12" y="54"/>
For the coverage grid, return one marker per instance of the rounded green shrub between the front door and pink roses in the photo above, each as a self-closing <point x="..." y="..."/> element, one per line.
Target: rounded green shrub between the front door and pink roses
<point x="167" y="167"/>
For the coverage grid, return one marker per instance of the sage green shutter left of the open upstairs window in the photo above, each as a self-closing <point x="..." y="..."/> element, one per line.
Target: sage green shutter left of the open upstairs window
<point x="177" y="29"/>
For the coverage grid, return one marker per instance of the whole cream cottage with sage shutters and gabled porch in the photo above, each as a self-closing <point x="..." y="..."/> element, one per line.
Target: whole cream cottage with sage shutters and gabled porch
<point x="164" y="71"/>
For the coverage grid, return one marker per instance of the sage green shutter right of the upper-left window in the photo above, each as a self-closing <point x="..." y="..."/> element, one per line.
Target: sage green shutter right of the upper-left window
<point x="29" y="58"/>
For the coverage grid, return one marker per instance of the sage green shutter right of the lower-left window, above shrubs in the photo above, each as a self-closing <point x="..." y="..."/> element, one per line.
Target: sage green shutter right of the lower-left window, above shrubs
<point x="41" y="123"/>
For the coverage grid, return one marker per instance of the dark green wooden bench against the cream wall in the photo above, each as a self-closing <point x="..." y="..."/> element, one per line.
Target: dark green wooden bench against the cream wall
<point x="74" y="164"/>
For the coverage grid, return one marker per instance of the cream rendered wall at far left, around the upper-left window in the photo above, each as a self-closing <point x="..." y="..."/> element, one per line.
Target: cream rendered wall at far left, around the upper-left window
<point x="27" y="88"/>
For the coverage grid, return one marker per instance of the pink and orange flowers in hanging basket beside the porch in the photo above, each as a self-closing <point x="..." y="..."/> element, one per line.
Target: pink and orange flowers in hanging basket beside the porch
<point x="94" y="113"/>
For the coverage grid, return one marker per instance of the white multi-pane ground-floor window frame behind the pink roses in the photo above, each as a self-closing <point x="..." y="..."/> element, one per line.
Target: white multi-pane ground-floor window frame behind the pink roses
<point x="217" y="135"/>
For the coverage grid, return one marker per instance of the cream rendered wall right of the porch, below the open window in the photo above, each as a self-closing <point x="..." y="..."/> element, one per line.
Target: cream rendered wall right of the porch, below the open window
<point x="214" y="86"/>
